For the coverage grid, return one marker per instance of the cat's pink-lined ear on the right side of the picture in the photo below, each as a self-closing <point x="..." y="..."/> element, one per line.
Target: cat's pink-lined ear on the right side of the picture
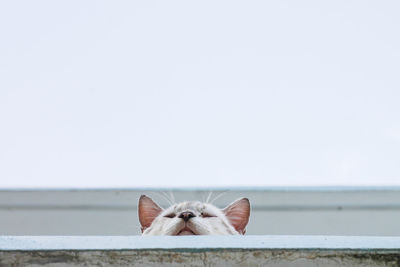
<point x="238" y="214"/>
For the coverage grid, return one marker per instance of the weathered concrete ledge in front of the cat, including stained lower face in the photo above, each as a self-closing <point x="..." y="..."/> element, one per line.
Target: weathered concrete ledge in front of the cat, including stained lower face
<point x="199" y="251"/>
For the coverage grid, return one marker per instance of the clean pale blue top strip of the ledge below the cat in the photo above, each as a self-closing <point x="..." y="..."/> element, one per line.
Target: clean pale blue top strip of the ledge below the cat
<point x="191" y="243"/>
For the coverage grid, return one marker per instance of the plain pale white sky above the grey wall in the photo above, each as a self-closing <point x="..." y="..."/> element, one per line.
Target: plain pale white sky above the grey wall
<point x="199" y="93"/>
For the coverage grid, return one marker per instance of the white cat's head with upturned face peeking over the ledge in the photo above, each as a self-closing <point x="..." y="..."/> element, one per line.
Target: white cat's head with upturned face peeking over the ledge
<point x="193" y="218"/>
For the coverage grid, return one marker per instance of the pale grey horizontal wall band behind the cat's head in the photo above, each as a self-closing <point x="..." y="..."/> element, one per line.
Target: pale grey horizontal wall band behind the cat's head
<point x="323" y="211"/>
